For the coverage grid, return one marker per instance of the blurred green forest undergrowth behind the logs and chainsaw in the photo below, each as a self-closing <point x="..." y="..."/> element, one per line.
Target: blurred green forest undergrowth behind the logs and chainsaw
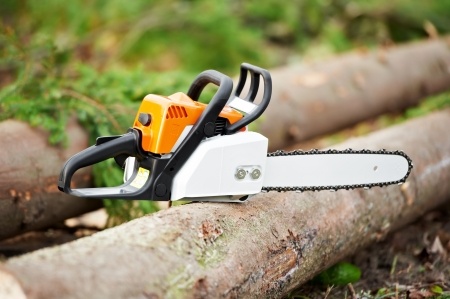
<point x="97" y="59"/>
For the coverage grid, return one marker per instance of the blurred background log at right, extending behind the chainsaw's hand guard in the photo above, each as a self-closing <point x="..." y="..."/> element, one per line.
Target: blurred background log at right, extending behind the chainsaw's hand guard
<point x="316" y="99"/>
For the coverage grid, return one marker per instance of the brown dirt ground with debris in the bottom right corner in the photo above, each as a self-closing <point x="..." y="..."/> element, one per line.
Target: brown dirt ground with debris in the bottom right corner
<point x="413" y="262"/>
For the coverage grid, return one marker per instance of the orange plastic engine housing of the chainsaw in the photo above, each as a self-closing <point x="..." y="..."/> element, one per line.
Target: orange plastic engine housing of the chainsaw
<point x="161" y="120"/>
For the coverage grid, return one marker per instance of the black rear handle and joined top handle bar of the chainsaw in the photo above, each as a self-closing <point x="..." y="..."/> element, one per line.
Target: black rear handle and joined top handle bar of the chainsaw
<point x="161" y="169"/>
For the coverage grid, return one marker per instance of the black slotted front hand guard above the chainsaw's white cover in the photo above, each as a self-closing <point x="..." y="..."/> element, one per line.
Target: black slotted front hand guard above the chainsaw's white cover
<point x="255" y="74"/>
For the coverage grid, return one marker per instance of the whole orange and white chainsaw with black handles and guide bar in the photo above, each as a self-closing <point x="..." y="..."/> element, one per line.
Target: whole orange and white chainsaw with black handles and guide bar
<point x="180" y="148"/>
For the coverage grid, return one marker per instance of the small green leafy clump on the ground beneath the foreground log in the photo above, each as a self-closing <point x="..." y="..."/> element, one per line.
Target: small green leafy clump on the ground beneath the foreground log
<point x="339" y="274"/>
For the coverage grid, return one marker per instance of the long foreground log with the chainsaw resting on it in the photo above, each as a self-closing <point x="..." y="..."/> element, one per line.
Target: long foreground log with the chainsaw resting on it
<point x="265" y="247"/>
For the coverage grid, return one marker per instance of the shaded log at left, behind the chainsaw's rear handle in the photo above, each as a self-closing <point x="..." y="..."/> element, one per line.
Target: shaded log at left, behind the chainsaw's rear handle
<point x="29" y="195"/>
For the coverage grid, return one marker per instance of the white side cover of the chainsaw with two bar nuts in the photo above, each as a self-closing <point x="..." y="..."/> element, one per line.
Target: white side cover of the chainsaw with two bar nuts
<point x="212" y="170"/>
